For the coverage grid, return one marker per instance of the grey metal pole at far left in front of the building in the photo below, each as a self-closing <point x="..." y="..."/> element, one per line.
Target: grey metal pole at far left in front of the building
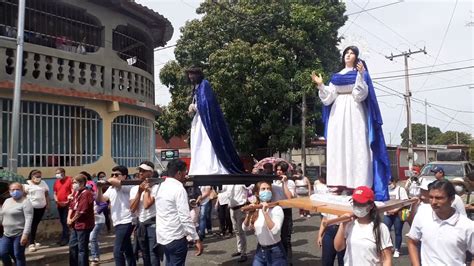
<point x="15" y="127"/>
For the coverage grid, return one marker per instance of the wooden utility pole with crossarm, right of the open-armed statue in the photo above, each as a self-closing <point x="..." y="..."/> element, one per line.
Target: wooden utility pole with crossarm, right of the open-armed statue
<point x="407" y="100"/>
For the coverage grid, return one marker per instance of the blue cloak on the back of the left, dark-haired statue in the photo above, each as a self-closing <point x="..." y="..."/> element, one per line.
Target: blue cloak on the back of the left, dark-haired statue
<point x="216" y="128"/>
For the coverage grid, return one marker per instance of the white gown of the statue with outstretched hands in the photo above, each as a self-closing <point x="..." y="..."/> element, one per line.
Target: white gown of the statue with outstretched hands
<point x="349" y="158"/>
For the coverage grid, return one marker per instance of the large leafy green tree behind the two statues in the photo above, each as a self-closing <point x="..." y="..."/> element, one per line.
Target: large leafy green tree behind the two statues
<point x="258" y="57"/>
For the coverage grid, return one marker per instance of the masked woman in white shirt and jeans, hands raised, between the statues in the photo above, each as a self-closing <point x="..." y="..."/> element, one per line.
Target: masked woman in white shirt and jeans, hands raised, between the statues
<point x="266" y="223"/>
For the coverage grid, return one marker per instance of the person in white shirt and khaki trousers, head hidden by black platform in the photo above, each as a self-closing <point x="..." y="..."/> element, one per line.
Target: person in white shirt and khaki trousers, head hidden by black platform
<point x="237" y="199"/>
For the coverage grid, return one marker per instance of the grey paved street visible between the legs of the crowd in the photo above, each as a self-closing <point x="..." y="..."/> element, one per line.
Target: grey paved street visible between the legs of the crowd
<point x="217" y="250"/>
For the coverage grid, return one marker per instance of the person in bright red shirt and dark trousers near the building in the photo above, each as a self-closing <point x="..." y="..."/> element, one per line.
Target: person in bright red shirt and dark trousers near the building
<point x="62" y="189"/>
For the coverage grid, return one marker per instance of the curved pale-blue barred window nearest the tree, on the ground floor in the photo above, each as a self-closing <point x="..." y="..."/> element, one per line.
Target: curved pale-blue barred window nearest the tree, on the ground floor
<point x="132" y="140"/>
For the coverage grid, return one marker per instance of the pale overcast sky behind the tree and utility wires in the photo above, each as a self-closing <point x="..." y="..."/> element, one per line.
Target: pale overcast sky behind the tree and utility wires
<point x="387" y="27"/>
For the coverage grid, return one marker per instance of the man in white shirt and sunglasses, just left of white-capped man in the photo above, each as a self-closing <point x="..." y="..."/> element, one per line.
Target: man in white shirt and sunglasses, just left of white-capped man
<point x="119" y="197"/>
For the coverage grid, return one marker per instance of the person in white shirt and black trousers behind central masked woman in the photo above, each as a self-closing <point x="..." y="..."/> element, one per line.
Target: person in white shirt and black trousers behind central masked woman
<point x="282" y="190"/>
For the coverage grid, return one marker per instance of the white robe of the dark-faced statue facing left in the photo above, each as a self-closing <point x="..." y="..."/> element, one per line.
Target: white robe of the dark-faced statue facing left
<point x="204" y="160"/>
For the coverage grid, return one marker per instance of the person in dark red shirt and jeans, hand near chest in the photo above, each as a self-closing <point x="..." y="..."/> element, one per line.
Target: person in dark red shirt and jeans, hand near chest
<point x="81" y="220"/>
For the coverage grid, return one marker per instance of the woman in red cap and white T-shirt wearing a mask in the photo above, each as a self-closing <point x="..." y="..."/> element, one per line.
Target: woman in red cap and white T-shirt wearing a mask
<point x="365" y="238"/>
